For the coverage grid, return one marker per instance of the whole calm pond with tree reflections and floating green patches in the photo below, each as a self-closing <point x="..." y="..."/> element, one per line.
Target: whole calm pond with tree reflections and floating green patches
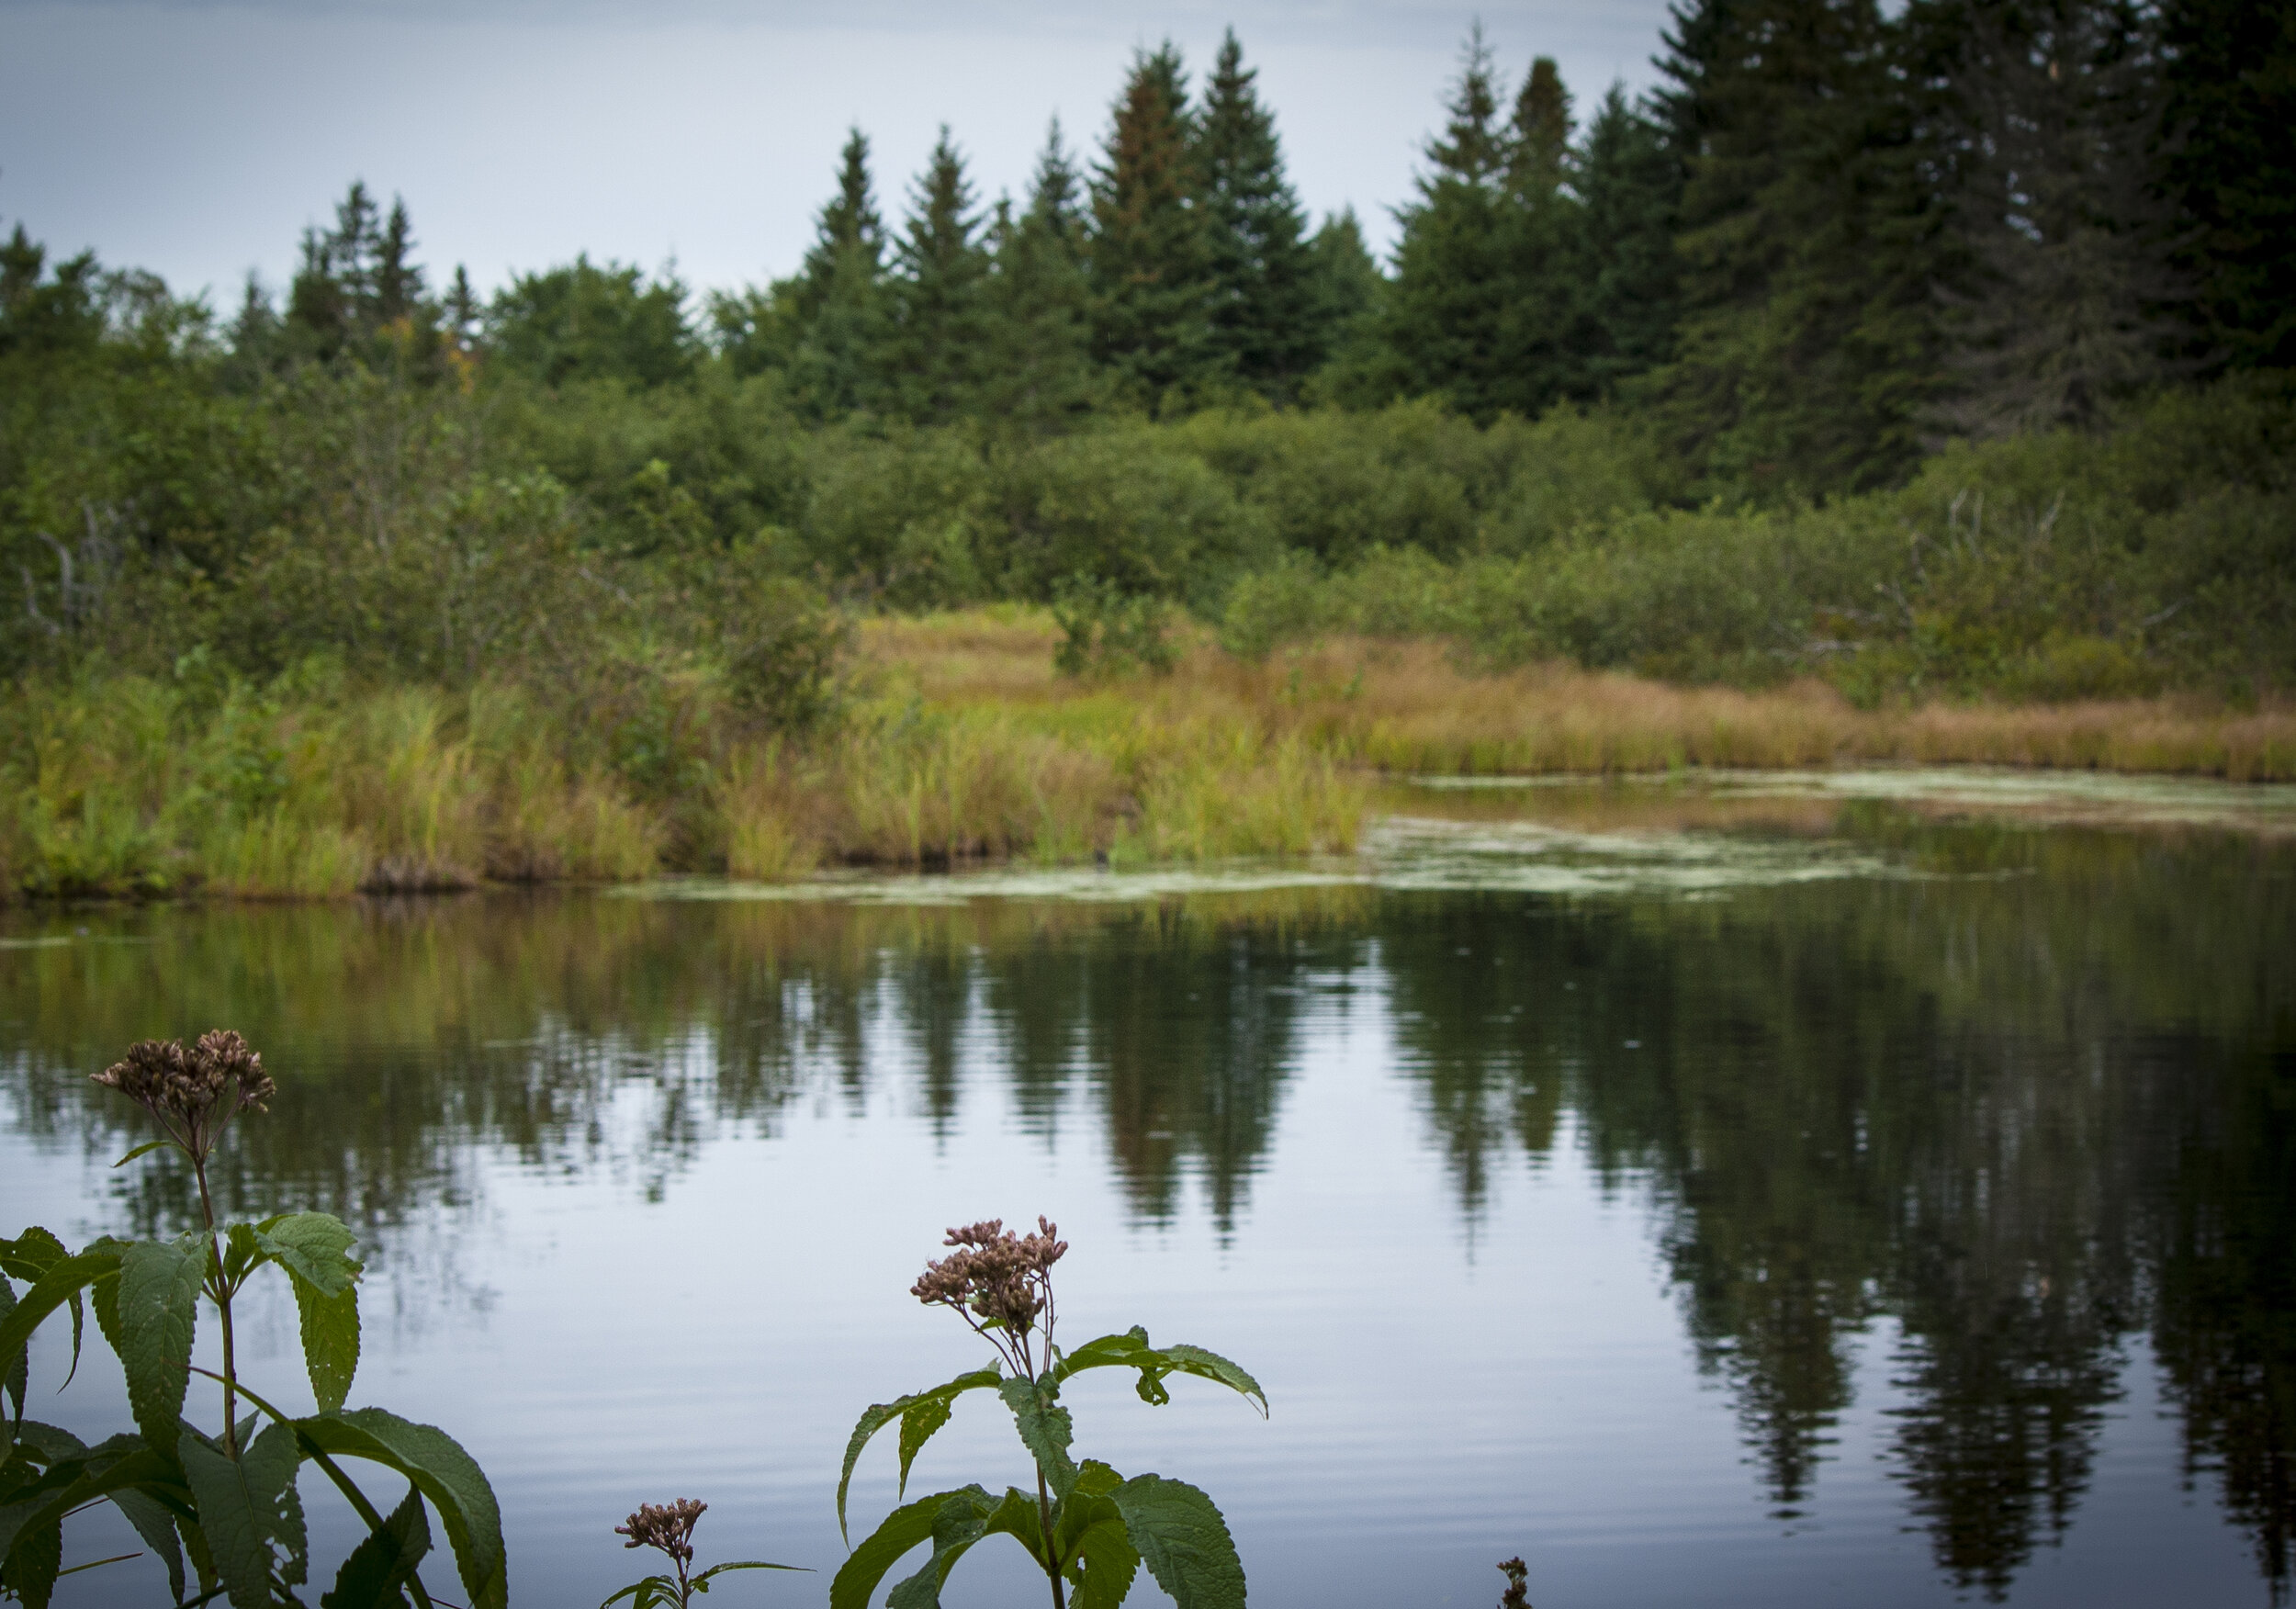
<point x="1728" y="1190"/>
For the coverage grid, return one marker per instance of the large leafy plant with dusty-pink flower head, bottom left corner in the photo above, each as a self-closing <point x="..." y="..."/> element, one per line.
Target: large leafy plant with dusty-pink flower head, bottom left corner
<point x="224" y="1500"/>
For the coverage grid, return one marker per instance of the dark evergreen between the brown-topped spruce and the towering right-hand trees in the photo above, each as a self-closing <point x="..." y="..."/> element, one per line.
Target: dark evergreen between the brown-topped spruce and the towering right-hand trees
<point x="1631" y="189"/>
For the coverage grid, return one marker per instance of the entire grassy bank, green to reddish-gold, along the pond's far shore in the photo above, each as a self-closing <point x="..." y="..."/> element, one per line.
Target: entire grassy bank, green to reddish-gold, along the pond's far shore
<point x="956" y="743"/>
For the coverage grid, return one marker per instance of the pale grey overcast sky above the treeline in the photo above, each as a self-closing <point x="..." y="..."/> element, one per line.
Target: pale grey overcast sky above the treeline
<point x="201" y="139"/>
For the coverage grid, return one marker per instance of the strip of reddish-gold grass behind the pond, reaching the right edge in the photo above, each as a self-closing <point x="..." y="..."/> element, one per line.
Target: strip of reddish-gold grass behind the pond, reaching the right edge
<point x="1413" y="708"/>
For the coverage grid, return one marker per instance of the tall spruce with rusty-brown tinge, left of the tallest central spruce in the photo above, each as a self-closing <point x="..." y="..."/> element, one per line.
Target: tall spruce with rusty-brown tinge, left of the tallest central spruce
<point x="1151" y="254"/>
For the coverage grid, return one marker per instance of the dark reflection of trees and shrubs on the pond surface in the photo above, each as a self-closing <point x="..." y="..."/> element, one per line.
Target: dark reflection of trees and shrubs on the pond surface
<point x="2031" y="1098"/>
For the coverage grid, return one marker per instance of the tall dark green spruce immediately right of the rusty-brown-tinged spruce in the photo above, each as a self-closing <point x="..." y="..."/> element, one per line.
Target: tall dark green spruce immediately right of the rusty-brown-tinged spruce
<point x="1264" y="311"/>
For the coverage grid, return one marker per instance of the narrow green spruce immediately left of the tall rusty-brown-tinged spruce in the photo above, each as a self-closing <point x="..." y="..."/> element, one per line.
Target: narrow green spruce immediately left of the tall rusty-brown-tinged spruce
<point x="1037" y="364"/>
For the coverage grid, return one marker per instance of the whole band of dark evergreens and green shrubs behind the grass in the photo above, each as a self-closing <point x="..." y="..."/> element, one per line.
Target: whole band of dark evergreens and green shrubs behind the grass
<point x="1941" y="352"/>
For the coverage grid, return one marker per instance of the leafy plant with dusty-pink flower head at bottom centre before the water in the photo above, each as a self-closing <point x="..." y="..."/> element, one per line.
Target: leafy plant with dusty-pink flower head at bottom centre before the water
<point x="1087" y="1528"/>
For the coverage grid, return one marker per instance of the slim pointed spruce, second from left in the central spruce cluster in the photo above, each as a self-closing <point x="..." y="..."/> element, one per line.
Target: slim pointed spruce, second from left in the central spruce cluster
<point x="933" y="348"/>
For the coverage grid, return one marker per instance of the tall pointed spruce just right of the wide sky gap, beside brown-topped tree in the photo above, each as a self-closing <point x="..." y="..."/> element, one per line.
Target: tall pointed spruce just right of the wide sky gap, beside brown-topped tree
<point x="1448" y="311"/>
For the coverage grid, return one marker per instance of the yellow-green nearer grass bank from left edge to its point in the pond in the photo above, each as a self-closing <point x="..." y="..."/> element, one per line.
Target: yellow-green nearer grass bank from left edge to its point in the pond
<point x="137" y="786"/>
